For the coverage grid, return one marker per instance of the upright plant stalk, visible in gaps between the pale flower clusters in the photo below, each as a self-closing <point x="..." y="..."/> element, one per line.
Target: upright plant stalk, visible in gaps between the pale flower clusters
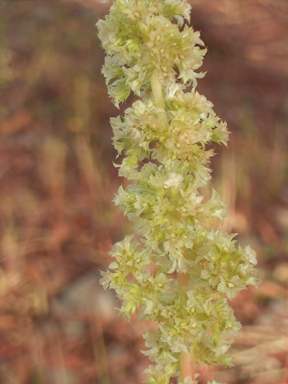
<point x="187" y="367"/>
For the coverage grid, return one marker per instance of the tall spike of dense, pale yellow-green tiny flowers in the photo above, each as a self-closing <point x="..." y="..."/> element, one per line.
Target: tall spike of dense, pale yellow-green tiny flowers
<point x="163" y="151"/>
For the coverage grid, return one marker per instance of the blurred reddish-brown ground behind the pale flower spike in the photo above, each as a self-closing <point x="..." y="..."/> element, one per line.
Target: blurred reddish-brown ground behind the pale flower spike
<point x="57" y="182"/>
